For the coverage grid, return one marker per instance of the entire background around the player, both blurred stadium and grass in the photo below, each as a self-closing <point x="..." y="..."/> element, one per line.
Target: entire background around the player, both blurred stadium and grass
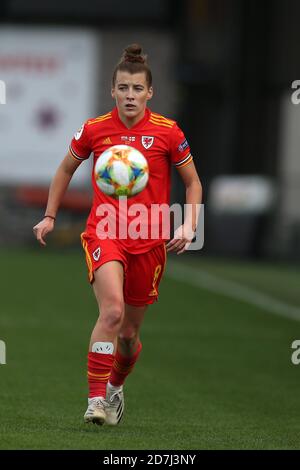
<point x="216" y="370"/>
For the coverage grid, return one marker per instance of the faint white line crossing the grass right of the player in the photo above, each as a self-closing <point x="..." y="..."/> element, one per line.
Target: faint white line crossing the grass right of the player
<point x="199" y="278"/>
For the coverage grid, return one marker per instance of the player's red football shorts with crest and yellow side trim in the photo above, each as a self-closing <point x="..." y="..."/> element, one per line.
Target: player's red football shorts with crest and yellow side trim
<point x="143" y="272"/>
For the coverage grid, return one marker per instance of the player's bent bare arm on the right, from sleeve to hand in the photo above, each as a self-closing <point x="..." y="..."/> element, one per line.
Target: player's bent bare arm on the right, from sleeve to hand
<point x="184" y="234"/>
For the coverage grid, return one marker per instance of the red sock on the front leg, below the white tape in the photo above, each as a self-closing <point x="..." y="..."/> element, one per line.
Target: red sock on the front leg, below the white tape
<point x="99" y="368"/>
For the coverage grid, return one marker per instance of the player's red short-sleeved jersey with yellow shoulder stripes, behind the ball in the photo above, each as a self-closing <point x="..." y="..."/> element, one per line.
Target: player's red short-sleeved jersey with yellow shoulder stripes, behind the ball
<point x="162" y="143"/>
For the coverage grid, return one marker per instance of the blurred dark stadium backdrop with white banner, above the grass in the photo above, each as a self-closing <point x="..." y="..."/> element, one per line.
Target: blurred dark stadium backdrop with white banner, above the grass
<point x="223" y="69"/>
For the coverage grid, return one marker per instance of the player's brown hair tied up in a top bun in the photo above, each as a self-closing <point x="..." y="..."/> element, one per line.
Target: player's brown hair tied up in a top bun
<point x="133" y="61"/>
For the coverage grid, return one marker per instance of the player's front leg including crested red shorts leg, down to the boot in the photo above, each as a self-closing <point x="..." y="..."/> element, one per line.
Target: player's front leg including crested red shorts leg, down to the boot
<point x="105" y="263"/>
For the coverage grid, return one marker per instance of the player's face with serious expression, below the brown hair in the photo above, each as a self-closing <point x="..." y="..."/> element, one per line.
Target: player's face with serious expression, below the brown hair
<point x="131" y="93"/>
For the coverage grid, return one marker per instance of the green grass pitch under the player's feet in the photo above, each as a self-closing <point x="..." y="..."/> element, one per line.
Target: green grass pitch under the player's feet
<point x="214" y="373"/>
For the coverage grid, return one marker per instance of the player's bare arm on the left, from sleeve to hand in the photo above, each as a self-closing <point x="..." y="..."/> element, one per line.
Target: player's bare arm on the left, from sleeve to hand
<point x="57" y="190"/>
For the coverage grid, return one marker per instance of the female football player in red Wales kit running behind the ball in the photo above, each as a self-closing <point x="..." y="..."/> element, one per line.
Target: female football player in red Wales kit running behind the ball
<point x="125" y="272"/>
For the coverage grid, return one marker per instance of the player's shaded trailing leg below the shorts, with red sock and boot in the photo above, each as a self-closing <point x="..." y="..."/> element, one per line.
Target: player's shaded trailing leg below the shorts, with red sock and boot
<point x="128" y="350"/>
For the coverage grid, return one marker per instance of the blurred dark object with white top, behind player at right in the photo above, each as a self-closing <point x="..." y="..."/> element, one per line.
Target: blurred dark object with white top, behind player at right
<point x="238" y="214"/>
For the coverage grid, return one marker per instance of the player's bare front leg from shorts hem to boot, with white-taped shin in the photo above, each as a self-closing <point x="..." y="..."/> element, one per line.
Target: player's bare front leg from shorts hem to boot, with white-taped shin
<point x="108" y="289"/>
